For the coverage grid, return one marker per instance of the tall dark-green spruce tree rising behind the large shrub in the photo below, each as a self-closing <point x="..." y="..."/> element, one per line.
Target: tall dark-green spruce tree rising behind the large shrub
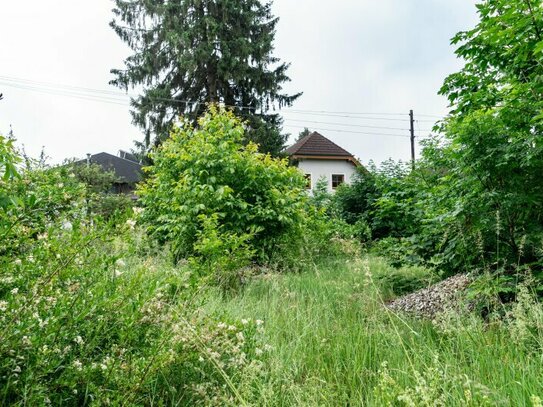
<point x="188" y="53"/>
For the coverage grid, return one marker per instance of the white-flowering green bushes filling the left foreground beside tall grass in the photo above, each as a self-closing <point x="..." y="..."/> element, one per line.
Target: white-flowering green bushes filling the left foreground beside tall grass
<point x="88" y="318"/>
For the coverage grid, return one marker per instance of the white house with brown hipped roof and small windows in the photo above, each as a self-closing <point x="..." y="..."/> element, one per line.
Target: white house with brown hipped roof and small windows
<point x="317" y="157"/>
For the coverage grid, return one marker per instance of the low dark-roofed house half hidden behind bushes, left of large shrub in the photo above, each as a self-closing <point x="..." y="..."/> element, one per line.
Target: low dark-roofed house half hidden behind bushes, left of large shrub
<point x="125" y="166"/>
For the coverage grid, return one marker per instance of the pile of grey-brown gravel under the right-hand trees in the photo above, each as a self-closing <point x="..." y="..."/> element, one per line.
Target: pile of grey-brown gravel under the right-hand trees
<point x="432" y="300"/>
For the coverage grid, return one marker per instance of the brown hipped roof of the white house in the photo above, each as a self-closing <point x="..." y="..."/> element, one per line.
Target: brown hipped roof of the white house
<point x="315" y="145"/>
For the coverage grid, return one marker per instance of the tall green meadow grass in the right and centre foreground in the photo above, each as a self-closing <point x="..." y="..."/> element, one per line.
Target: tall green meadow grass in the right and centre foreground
<point x="334" y="343"/>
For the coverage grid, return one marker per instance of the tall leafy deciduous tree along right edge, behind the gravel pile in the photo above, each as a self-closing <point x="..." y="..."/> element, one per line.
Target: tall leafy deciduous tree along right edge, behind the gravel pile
<point x="488" y="194"/>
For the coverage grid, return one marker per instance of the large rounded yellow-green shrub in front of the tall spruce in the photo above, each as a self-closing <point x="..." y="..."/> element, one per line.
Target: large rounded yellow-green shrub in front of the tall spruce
<point x="207" y="171"/>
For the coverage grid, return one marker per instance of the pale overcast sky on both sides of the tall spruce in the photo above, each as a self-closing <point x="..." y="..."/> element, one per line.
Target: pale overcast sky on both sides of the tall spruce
<point x="350" y="56"/>
